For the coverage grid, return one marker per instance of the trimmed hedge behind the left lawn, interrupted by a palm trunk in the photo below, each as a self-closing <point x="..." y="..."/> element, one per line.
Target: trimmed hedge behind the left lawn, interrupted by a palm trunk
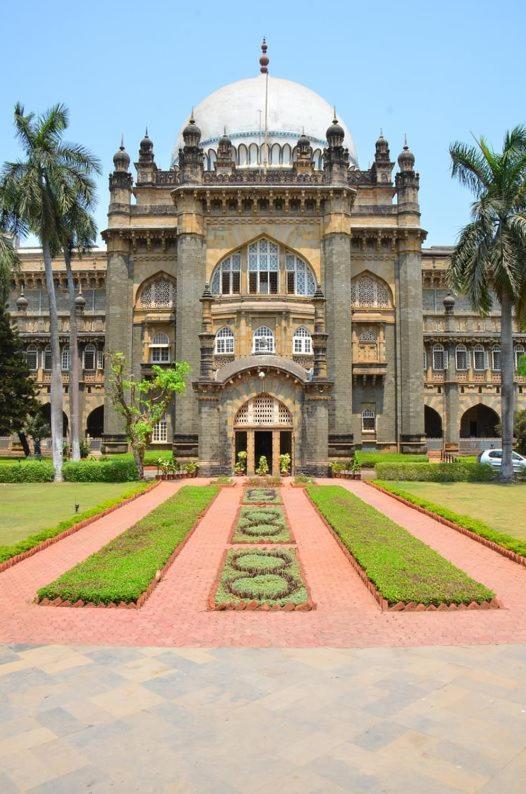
<point x="83" y="471"/>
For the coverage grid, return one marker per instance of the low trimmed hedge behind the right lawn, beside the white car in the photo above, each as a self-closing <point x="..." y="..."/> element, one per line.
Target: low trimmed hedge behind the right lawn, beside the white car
<point x="437" y="472"/>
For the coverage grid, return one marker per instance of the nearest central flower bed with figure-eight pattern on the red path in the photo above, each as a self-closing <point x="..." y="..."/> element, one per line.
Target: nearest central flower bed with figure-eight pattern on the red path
<point x="268" y="576"/>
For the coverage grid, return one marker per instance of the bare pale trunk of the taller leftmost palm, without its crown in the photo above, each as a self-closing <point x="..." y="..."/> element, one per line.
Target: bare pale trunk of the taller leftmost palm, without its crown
<point x="57" y="436"/>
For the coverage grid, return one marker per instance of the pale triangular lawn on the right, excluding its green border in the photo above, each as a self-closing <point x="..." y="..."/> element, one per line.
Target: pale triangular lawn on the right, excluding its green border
<point x="500" y="507"/>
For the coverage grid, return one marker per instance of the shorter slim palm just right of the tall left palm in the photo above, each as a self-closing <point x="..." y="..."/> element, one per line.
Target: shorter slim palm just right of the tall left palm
<point x="81" y="232"/>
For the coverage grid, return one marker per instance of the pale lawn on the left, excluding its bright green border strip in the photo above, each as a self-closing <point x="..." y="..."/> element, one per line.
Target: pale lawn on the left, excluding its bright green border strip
<point x="28" y="508"/>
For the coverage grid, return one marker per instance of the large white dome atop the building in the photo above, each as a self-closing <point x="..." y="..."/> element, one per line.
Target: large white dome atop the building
<point x="240" y="107"/>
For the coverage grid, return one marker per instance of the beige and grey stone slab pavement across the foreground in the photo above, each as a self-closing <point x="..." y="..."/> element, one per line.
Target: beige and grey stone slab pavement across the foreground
<point x="434" y="720"/>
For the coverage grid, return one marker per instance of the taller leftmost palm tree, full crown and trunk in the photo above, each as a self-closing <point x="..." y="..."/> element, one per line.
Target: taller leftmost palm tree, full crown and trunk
<point x="39" y="191"/>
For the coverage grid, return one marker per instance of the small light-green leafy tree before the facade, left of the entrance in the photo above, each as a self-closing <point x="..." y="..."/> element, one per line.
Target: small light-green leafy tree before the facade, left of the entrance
<point x="143" y="403"/>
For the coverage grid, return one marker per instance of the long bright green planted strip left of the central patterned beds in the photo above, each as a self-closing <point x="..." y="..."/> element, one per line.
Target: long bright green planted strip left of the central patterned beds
<point x="123" y="569"/>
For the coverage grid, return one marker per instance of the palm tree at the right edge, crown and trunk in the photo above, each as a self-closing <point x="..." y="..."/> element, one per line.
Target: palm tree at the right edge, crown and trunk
<point x="490" y="255"/>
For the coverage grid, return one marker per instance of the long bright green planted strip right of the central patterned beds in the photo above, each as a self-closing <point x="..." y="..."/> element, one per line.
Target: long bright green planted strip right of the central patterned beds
<point x="402" y="568"/>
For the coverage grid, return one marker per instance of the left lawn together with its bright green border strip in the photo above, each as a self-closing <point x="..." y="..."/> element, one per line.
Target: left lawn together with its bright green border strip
<point x="33" y="512"/>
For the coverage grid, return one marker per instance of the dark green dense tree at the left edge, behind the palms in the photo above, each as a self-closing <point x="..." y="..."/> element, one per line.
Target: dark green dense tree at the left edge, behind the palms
<point x="17" y="387"/>
